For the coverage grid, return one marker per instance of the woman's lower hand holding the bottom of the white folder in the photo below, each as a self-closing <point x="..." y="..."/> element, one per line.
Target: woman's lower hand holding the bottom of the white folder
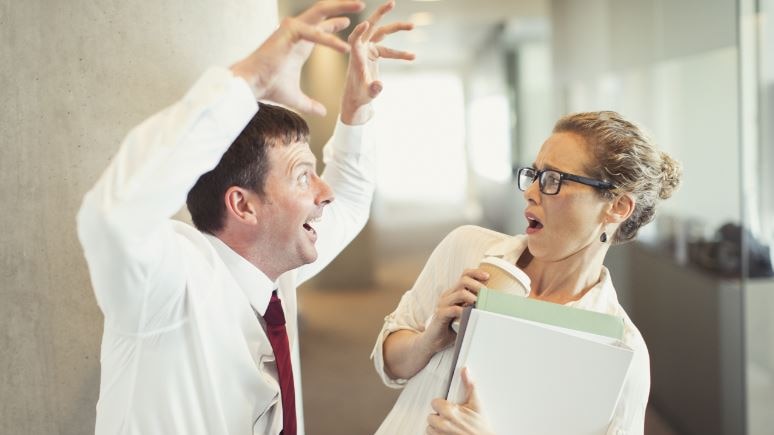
<point x="464" y="419"/>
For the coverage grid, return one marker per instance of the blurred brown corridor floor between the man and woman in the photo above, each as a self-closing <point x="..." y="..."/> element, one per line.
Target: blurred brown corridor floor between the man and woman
<point x="342" y="393"/>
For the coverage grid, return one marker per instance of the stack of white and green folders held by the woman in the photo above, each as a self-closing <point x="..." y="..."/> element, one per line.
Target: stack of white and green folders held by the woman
<point x="538" y="367"/>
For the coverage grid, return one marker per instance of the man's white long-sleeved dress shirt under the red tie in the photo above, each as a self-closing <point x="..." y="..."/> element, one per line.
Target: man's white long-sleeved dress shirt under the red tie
<point x="183" y="351"/>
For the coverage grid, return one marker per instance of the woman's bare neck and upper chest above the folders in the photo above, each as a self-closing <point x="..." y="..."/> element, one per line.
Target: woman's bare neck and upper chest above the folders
<point x="564" y="280"/>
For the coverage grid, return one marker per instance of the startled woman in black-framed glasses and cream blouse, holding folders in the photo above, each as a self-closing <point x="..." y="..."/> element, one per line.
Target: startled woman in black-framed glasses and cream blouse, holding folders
<point x="595" y="182"/>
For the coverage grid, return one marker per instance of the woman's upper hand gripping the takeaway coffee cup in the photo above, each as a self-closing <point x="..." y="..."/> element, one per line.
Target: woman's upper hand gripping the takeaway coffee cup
<point x="438" y="335"/>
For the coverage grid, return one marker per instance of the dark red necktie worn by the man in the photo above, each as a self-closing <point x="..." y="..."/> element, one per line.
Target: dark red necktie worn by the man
<point x="278" y="337"/>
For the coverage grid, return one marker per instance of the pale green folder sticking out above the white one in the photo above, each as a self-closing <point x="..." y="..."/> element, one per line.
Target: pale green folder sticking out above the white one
<point x="550" y="313"/>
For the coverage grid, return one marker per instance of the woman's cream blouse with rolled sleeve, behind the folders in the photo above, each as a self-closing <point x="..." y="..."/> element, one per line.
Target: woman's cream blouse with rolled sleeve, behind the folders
<point x="462" y="249"/>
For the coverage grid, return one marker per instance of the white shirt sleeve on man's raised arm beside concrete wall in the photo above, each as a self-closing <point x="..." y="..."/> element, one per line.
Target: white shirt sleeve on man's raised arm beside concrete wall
<point x="124" y="221"/>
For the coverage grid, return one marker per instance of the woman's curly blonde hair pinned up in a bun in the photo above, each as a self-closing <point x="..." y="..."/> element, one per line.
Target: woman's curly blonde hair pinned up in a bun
<point x="627" y="158"/>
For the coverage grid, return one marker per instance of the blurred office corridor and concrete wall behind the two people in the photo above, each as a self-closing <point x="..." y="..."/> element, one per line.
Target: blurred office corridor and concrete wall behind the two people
<point x="490" y="79"/>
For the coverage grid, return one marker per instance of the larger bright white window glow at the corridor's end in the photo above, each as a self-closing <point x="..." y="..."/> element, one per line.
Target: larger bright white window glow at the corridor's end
<point x="419" y="131"/>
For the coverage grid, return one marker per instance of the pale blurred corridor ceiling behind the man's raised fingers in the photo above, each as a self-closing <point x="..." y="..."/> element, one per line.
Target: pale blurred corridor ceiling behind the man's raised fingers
<point x="458" y="28"/>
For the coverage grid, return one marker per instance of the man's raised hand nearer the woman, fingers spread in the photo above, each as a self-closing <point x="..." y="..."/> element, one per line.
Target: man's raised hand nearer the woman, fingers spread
<point x="362" y="84"/>
